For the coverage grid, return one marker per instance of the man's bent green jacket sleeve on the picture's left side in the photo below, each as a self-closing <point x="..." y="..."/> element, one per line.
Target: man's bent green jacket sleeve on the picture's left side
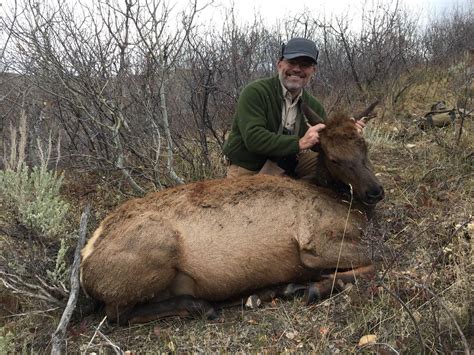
<point x="252" y="115"/>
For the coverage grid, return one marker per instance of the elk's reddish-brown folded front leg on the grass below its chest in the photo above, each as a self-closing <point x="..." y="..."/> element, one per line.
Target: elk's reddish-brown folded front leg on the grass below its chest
<point x="335" y="283"/>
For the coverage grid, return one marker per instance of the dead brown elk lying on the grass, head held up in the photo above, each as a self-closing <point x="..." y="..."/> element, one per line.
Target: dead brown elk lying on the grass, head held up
<point x="186" y="249"/>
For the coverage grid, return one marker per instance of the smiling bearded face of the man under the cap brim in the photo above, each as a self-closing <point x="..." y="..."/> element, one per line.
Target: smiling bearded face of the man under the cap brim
<point x="295" y="73"/>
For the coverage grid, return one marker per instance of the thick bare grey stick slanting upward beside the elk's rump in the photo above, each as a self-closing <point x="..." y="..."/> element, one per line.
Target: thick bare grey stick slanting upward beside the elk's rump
<point x="58" y="335"/>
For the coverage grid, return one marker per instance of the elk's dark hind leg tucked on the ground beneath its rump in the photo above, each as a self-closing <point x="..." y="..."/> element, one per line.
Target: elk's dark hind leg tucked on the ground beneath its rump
<point x="183" y="306"/>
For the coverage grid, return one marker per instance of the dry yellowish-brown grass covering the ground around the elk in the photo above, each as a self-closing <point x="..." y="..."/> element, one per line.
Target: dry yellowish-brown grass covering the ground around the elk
<point x="420" y="301"/>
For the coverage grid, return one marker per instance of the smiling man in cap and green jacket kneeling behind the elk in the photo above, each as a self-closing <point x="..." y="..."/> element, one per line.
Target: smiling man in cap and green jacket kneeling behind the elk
<point x="269" y="125"/>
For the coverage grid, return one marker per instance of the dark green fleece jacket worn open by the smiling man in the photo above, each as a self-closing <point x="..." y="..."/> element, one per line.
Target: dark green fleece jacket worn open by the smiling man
<point x="254" y="135"/>
